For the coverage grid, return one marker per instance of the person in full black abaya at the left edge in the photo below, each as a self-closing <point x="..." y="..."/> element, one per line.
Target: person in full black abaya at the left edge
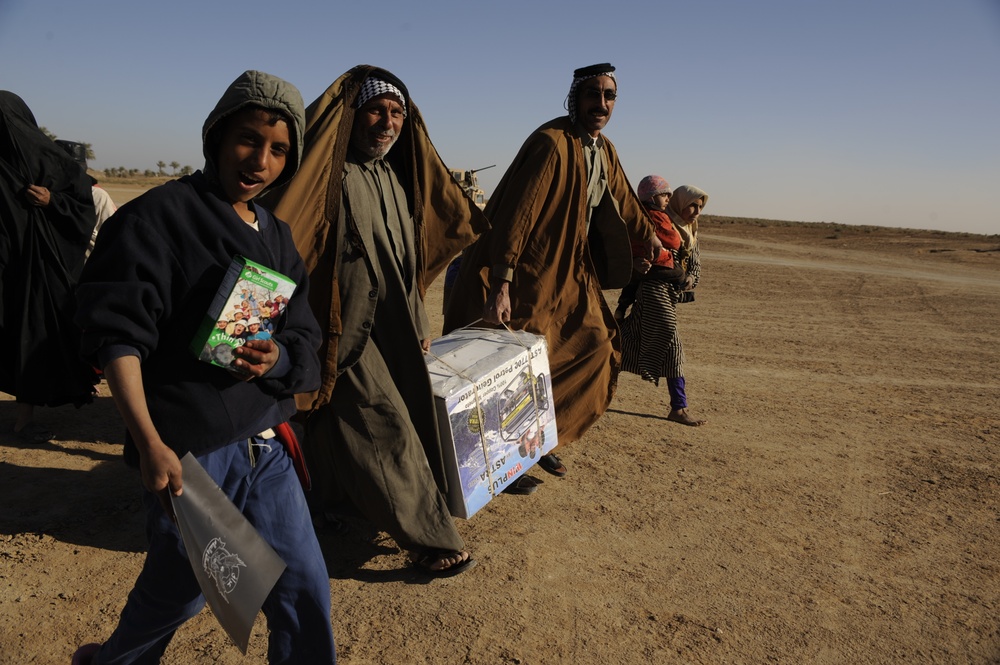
<point x="46" y="219"/>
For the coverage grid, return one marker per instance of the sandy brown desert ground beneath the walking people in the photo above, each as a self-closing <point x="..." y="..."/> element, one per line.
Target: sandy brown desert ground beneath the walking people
<point x="842" y="505"/>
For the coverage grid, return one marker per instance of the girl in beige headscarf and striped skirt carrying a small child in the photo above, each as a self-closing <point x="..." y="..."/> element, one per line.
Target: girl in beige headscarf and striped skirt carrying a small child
<point x="651" y="346"/>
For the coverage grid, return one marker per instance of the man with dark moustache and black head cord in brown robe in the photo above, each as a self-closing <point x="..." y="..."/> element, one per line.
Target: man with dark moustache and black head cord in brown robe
<point x="562" y="219"/>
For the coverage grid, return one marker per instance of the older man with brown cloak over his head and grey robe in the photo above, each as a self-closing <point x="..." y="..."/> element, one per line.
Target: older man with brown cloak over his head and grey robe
<point x="376" y="216"/>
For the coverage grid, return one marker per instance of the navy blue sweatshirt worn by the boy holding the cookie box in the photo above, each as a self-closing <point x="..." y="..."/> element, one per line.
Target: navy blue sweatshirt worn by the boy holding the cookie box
<point x="157" y="264"/>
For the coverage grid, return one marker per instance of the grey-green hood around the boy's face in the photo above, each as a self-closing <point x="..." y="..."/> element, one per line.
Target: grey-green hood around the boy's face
<point x="253" y="88"/>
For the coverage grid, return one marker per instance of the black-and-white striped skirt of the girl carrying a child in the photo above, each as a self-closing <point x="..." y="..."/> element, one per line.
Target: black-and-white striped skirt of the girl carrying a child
<point x="650" y="345"/>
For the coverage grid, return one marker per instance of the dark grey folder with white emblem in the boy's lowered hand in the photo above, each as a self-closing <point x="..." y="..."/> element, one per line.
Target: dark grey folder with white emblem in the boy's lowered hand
<point x="235" y="567"/>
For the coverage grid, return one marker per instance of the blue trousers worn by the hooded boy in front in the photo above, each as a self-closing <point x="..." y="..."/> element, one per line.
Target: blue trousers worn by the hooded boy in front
<point x="166" y="594"/>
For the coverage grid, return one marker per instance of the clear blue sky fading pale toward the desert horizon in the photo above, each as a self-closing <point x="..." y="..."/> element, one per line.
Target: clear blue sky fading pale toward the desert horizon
<point x="882" y="112"/>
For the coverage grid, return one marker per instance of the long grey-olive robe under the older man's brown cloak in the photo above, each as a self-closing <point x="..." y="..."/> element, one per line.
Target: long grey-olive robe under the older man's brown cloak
<point x="376" y="441"/>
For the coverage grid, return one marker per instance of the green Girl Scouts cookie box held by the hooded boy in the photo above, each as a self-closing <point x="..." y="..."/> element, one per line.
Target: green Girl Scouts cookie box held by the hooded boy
<point x="248" y="306"/>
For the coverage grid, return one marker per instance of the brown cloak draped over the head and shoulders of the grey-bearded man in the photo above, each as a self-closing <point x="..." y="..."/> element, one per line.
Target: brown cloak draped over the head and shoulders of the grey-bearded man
<point x="445" y="218"/>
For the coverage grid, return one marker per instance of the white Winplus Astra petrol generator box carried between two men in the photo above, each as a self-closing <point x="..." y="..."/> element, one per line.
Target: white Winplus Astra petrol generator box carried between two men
<point x="493" y="396"/>
